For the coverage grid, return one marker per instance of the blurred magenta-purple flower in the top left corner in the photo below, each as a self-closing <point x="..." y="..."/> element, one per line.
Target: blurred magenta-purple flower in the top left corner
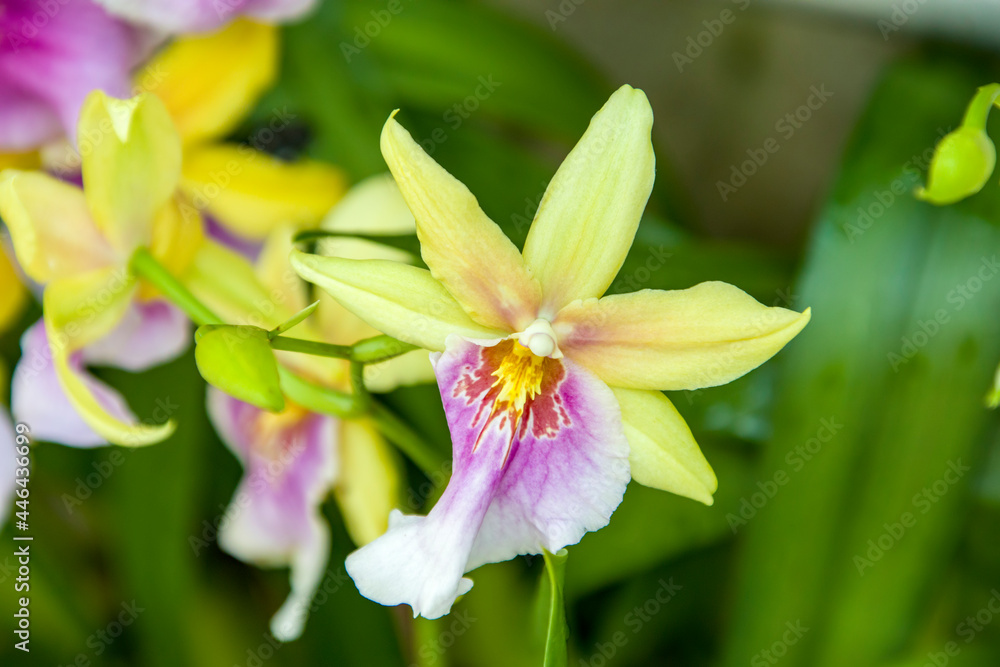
<point x="48" y="67"/>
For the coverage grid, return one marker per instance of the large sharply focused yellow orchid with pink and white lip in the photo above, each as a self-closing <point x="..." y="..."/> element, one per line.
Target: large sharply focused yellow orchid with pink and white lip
<point x="551" y="390"/>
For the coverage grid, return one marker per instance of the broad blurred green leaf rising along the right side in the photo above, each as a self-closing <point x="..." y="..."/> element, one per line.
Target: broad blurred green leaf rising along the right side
<point x="879" y="396"/>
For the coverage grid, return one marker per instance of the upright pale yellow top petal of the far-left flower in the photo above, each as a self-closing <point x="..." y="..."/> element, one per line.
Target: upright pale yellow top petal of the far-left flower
<point x="131" y="164"/>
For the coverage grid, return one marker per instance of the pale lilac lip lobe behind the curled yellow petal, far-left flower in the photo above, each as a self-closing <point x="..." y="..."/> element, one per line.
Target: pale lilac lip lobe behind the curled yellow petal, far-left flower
<point x="37" y="397"/>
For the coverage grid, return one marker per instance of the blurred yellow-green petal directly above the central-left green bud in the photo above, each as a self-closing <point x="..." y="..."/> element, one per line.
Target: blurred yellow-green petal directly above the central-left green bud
<point x="226" y="282"/>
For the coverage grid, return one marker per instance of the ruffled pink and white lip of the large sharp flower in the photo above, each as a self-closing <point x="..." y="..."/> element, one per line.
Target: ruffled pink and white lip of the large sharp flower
<point x="518" y="486"/>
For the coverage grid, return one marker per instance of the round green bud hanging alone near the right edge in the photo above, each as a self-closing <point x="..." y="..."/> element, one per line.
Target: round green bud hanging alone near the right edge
<point x="962" y="163"/>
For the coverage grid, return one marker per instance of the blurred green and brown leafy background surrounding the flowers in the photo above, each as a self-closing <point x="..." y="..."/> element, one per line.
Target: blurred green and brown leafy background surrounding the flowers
<point x="874" y="413"/>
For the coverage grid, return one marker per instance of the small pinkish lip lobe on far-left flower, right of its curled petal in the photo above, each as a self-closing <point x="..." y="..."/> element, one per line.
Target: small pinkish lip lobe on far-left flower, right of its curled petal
<point x="150" y="334"/>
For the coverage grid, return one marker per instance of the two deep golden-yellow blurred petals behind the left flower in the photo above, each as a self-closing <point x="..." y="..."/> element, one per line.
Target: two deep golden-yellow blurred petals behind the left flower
<point x="209" y="83"/>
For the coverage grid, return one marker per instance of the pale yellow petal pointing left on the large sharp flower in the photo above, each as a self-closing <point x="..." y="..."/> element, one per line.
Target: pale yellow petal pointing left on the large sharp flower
<point x="397" y="299"/>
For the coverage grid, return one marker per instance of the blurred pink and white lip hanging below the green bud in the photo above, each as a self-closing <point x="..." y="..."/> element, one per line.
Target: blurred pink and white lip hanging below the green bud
<point x="274" y="518"/>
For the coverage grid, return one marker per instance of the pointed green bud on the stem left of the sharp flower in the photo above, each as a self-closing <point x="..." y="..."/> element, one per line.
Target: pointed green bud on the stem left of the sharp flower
<point x="239" y="361"/>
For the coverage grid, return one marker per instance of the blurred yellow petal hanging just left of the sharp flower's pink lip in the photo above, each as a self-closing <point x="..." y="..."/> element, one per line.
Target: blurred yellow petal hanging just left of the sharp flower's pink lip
<point x="370" y="481"/>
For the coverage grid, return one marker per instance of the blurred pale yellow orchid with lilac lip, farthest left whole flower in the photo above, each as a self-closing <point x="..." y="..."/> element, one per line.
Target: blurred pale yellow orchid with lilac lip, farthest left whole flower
<point x="78" y="243"/>
